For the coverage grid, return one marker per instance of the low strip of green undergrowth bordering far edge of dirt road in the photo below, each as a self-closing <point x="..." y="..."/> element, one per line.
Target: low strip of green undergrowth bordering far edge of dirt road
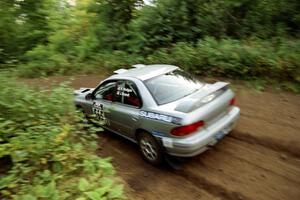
<point x="252" y="59"/>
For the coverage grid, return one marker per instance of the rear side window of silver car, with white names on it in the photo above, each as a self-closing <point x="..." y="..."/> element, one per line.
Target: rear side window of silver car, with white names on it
<point x="127" y="93"/>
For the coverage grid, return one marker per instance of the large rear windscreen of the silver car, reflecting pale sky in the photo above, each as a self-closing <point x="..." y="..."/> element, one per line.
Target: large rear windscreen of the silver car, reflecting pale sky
<point x="172" y="86"/>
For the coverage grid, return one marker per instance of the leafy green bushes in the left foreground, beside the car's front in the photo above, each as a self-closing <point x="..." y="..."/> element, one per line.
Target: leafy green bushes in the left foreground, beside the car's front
<point x="52" y="154"/>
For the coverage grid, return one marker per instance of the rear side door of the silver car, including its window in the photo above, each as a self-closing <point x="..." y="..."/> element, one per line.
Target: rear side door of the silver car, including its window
<point x="125" y="108"/>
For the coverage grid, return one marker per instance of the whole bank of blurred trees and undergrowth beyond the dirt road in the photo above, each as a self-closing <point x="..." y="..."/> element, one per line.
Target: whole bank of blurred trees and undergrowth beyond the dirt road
<point x="241" y="39"/>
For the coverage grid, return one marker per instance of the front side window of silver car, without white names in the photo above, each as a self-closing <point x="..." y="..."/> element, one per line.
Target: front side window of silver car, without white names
<point x="105" y="91"/>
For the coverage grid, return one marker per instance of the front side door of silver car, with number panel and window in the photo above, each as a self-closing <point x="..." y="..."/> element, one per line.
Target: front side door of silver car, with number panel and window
<point x="102" y="102"/>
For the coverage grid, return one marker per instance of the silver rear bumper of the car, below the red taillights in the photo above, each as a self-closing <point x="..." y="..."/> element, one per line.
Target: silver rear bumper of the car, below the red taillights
<point x="205" y="138"/>
